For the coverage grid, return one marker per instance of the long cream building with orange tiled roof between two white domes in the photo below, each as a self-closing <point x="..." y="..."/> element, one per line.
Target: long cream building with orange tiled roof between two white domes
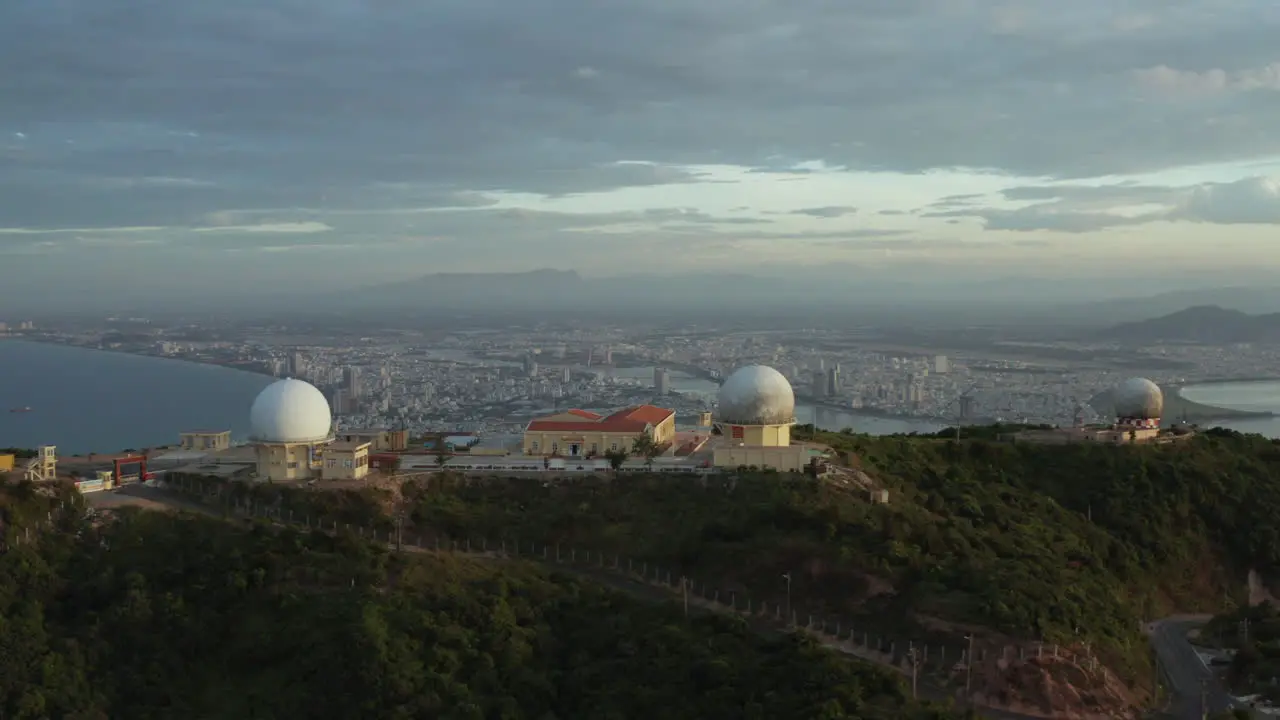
<point x="582" y="434"/>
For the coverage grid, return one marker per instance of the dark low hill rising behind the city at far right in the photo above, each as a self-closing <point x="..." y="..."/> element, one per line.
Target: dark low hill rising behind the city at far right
<point x="1208" y="325"/>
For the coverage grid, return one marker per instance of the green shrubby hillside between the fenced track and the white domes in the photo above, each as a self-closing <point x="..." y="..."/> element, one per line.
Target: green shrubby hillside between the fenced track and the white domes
<point x="1064" y="544"/>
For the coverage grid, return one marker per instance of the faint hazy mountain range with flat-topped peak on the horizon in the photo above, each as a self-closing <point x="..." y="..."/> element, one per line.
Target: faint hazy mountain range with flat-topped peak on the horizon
<point x="824" y="293"/>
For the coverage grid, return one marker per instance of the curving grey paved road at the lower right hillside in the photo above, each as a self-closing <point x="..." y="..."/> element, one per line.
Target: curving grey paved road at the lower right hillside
<point x="1191" y="681"/>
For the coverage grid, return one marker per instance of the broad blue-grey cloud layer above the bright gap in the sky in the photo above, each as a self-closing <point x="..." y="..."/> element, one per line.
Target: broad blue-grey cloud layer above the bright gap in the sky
<point x="292" y="104"/>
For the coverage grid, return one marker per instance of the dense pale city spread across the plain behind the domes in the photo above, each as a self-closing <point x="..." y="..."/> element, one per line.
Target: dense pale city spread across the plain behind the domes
<point x="492" y="382"/>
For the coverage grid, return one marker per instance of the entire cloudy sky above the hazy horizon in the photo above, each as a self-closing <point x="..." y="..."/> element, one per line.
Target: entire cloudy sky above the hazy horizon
<point x="353" y="140"/>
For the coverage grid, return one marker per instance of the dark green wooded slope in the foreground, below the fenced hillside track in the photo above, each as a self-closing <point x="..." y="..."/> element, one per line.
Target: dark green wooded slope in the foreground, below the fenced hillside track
<point x="153" y="616"/>
